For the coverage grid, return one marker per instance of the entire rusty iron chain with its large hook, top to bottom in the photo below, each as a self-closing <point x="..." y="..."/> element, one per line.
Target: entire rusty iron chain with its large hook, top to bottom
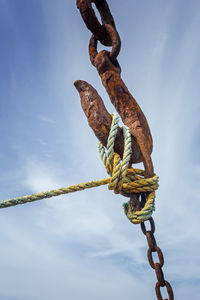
<point x="99" y="119"/>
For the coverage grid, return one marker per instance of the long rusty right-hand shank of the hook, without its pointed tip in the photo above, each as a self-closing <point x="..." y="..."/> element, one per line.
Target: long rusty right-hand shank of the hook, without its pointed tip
<point x="127" y="107"/>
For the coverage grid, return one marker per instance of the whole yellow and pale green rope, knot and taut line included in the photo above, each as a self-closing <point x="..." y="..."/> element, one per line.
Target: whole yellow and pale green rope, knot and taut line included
<point x="122" y="179"/>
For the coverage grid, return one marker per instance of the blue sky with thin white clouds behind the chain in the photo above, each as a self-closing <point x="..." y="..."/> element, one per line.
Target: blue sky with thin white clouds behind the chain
<point x="81" y="245"/>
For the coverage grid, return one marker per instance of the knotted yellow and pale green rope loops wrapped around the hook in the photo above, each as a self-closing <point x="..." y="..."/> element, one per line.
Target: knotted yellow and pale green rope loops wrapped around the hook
<point x="125" y="179"/>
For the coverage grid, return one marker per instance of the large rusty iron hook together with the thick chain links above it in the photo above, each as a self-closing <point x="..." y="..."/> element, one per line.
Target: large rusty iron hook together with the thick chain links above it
<point x="109" y="70"/>
